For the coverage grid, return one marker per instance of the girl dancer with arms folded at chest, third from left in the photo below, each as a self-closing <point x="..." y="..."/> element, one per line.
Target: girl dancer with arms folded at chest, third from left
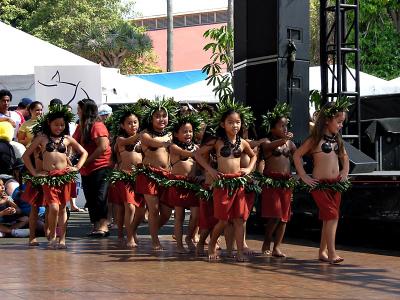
<point x="155" y="140"/>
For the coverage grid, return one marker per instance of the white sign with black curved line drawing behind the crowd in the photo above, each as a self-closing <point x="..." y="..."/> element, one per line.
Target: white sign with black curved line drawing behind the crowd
<point x="67" y="83"/>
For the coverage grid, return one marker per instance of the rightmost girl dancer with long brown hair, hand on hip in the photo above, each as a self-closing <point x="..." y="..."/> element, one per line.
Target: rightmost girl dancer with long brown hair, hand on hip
<point x="330" y="171"/>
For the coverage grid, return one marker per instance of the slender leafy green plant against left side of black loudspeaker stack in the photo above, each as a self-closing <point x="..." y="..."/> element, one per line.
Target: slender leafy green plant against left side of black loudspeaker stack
<point x="220" y="70"/>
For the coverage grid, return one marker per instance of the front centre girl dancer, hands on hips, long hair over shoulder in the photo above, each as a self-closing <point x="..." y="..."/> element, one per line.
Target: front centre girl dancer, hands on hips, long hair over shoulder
<point x="228" y="187"/>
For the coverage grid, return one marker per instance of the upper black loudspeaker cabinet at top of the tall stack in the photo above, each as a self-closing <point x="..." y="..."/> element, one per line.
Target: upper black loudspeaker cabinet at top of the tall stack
<point x="263" y="28"/>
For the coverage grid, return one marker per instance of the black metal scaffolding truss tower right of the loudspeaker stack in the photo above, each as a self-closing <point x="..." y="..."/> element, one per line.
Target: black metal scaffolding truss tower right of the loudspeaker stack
<point x="339" y="48"/>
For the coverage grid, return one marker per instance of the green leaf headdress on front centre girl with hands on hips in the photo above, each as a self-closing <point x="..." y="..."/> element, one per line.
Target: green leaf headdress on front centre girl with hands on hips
<point x="231" y="105"/>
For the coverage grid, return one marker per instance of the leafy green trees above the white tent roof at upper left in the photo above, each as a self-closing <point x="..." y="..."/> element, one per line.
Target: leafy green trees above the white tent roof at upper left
<point x="95" y="29"/>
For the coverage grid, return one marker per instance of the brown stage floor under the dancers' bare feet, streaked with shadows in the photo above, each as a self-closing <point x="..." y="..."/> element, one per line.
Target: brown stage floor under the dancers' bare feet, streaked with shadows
<point x="99" y="269"/>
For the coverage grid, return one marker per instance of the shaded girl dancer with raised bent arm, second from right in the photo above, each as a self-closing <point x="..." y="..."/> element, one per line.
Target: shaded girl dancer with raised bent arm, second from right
<point x="277" y="183"/>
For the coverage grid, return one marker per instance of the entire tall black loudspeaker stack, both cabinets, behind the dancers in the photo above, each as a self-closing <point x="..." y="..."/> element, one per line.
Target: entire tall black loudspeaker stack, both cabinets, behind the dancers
<point x="263" y="30"/>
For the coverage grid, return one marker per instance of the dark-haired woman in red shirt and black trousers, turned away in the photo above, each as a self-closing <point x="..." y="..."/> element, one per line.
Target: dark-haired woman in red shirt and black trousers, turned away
<point x="93" y="135"/>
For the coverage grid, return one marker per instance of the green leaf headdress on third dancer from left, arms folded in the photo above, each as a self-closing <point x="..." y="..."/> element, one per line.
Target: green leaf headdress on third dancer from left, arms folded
<point x="167" y="104"/>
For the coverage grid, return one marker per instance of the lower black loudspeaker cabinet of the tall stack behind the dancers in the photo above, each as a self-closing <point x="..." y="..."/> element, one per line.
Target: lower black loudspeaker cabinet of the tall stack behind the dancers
<point x="262" y="85"/>
